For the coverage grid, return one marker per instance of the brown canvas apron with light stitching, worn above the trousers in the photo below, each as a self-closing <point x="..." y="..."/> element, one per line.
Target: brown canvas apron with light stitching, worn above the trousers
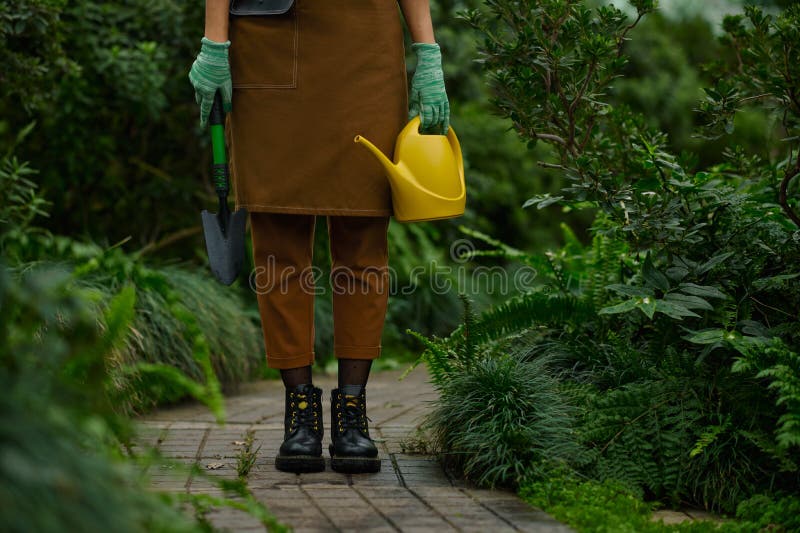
<point x="304" y="84"/>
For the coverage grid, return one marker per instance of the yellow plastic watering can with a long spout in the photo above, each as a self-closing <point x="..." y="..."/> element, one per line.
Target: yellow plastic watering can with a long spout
<point x="427" y="177"/>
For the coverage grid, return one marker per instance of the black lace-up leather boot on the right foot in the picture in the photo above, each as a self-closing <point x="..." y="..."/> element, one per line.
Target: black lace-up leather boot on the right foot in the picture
<point x="352" y="449"/>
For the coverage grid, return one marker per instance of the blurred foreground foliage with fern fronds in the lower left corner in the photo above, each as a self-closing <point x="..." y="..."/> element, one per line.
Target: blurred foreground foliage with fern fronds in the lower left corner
<point x="66" y="442"/>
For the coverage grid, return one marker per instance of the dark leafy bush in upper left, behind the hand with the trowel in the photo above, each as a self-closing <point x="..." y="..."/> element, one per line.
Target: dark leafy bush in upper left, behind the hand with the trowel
<point x="98" y="78"/>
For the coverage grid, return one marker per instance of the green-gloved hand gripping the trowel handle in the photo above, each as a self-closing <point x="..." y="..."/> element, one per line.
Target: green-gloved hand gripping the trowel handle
<point x="209" y="72"/>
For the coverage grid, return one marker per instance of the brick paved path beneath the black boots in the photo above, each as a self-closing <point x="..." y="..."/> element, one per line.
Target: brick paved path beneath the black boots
<point x="410" y="493"/>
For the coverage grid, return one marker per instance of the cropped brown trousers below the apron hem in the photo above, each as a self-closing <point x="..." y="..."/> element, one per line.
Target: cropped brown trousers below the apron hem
<point x="285" y="283"/>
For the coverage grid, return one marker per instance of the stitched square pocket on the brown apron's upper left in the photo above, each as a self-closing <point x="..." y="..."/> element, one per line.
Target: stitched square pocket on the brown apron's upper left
<point x="263" y="52"/>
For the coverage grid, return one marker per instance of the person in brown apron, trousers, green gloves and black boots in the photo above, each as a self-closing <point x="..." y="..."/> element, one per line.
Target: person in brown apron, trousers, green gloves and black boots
<point x="298" y="86"/>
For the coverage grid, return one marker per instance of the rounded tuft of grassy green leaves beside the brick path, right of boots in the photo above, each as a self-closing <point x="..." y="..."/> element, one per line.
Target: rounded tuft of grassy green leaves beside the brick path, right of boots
<point x="518" y="421"/>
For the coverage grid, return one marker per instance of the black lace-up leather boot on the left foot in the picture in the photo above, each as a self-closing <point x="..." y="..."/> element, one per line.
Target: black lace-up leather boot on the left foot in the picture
<point x="301" y="450"/>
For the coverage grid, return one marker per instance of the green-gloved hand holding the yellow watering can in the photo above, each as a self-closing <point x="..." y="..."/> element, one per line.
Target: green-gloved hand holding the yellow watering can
<point x="428" y="95"/>
